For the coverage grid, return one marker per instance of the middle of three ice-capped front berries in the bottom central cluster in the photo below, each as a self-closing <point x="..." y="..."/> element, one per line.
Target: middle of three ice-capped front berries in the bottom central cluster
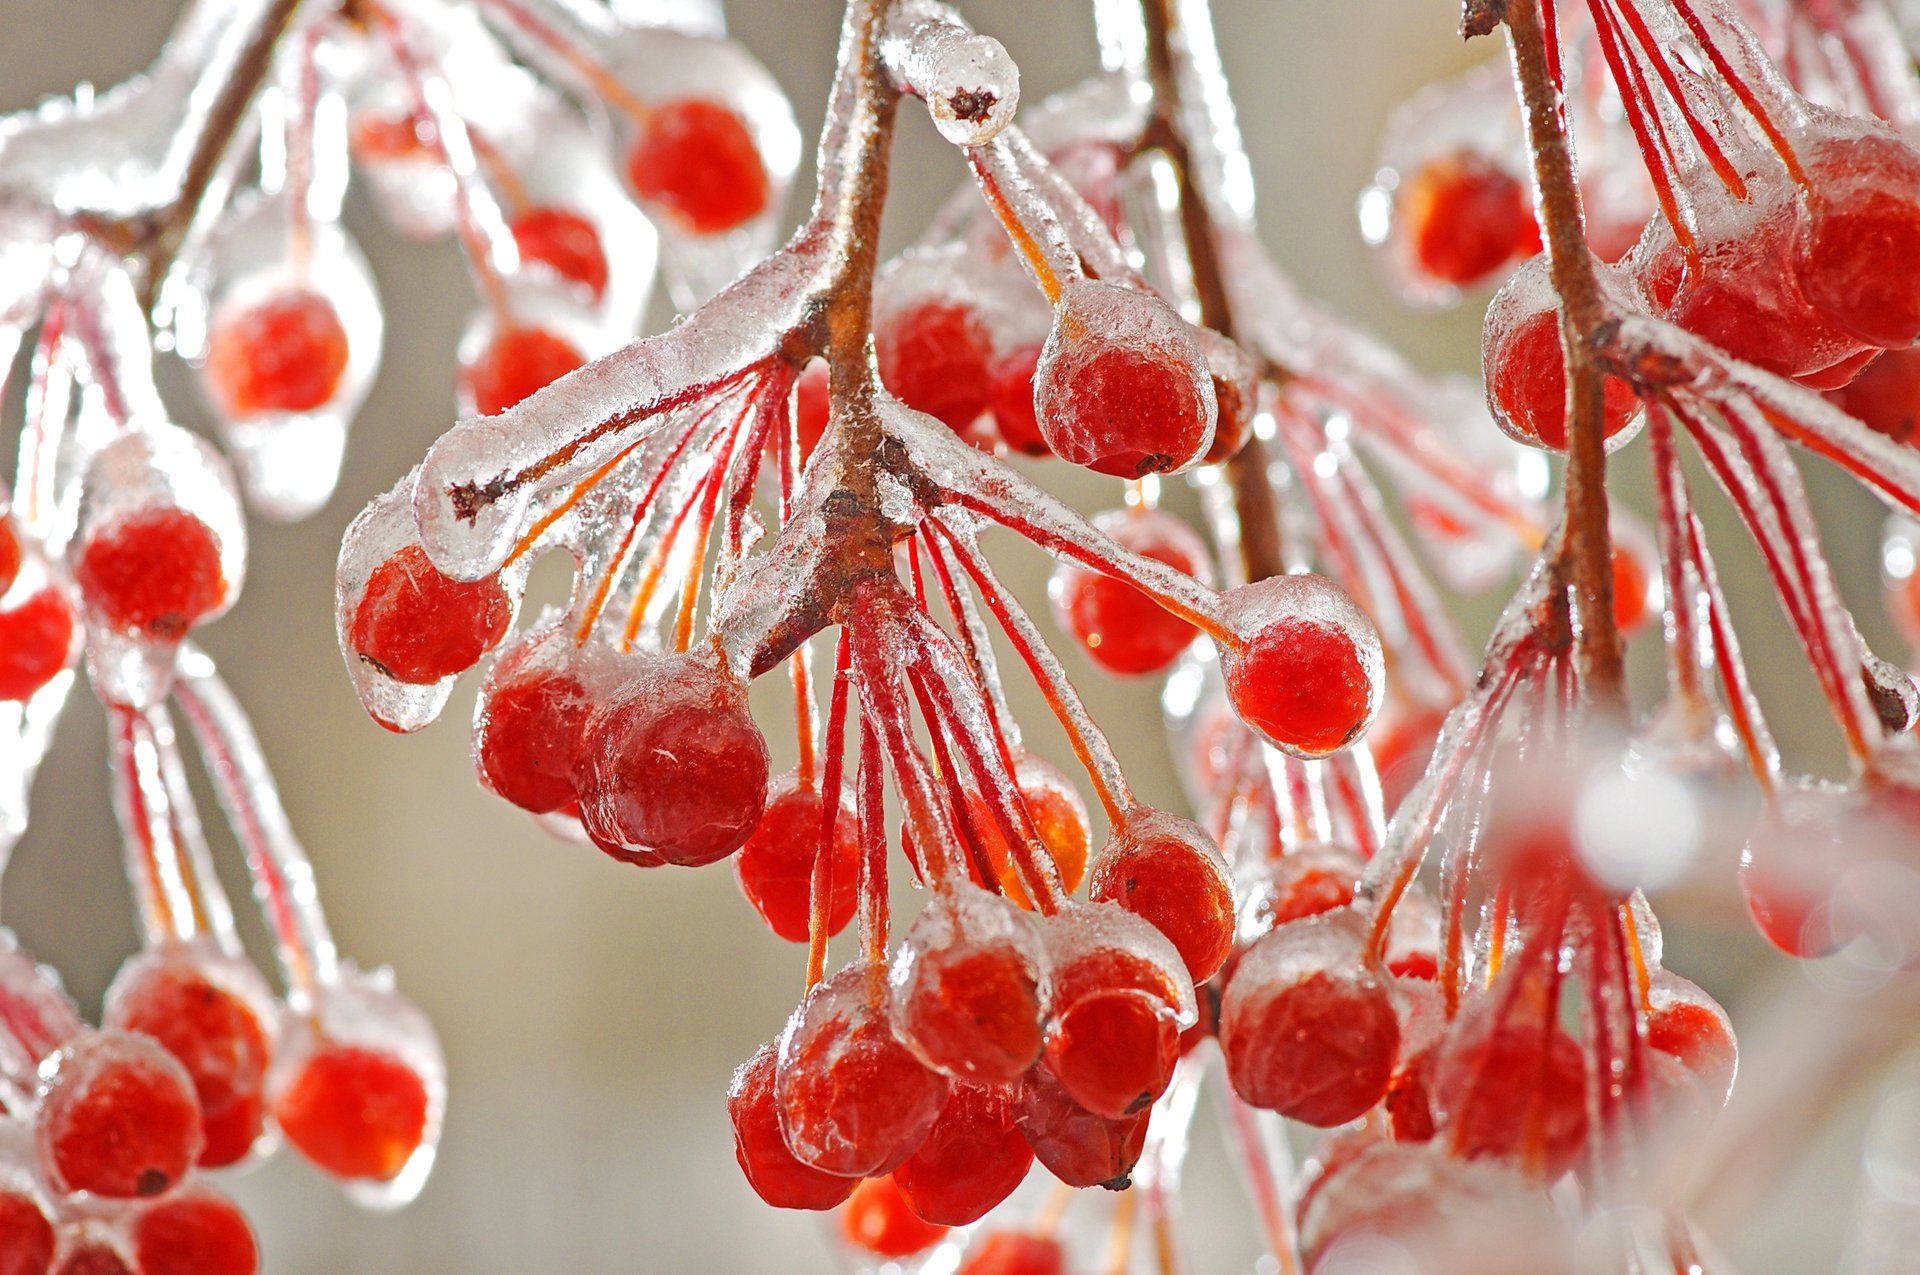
<point x="969" y="988"/>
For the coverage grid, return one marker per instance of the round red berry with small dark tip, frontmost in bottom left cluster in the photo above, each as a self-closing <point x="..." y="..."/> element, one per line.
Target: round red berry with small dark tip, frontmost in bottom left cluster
<point x="118" y="1119"/>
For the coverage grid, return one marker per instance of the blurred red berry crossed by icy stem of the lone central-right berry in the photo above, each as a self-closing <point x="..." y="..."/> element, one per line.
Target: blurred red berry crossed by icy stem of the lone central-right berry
<point x="1122" y="629"/>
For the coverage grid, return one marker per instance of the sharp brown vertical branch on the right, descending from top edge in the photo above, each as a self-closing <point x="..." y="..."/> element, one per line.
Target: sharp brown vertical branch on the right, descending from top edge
<point x="1585" y="558"/>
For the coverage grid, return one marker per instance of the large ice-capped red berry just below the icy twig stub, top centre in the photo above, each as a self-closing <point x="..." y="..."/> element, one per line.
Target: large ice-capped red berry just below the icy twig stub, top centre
<point x="1122" y="387"/>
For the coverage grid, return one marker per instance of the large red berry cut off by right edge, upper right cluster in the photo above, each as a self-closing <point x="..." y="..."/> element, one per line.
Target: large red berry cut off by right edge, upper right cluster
<point x="1858" y="247"/>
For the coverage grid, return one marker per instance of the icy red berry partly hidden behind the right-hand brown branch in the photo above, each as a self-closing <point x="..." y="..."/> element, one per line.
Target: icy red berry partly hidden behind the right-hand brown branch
<point x="1525" y="368"/>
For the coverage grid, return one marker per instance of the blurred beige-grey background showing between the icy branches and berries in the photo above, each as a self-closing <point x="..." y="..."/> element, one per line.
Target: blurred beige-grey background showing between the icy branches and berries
<point x="590" y="1013"/>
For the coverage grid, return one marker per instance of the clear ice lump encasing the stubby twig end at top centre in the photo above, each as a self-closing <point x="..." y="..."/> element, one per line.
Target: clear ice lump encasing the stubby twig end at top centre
<point x="967" y="80"/>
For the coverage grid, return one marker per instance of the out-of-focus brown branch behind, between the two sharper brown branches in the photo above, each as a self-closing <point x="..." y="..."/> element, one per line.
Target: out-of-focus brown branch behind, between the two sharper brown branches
<point x="1247" y="469"/>
